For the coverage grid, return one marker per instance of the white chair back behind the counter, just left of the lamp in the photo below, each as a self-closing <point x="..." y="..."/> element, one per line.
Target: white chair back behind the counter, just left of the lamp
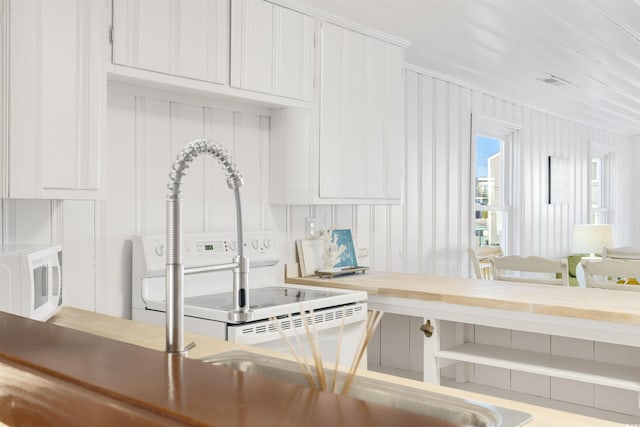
<point x="531" y="269"/>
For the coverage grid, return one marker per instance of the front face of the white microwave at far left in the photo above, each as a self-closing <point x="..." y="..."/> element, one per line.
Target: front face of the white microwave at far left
<point x="45" y="283"/>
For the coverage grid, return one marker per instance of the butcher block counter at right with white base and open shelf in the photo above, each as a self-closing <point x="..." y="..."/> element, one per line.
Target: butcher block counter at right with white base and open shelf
<point x="447" y="304"/>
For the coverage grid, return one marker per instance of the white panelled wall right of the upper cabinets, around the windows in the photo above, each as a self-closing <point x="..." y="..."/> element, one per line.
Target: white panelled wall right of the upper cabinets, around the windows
<point x="432" y="230"/>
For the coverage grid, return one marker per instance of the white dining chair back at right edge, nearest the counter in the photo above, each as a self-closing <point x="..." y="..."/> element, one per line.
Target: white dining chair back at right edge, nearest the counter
<point x="619" y="274"/>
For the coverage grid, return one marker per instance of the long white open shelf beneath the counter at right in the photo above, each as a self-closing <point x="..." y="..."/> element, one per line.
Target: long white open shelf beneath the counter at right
<point x="607" y="374"/>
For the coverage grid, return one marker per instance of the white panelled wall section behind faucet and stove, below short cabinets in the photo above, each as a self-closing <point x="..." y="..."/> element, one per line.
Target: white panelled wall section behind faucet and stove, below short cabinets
<point x="147" y="129"/>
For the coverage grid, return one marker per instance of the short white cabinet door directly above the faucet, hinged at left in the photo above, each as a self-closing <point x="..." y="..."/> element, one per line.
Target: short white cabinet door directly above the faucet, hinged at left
<point x="186" y="38"/>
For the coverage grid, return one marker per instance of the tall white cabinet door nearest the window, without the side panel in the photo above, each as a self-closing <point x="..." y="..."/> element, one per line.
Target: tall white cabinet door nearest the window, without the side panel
<point x="361" y="111"/>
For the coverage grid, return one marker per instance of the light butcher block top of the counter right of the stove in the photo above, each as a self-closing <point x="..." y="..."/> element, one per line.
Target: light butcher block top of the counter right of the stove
<point x="591" y="303"/>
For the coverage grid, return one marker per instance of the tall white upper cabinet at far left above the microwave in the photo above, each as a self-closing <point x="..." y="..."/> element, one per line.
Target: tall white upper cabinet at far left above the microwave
<point x="54" y="95"/>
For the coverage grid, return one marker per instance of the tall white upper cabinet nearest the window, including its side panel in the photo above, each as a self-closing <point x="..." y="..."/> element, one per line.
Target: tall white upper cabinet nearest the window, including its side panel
<point x="350" y="150"/>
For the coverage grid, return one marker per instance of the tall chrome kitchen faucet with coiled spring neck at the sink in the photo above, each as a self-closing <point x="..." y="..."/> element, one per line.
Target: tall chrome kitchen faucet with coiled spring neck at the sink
<point x="174" y="268"/>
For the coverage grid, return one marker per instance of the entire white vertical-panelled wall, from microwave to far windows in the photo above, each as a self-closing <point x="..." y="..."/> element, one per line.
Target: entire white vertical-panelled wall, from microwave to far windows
<point x="428" y="234"/>
